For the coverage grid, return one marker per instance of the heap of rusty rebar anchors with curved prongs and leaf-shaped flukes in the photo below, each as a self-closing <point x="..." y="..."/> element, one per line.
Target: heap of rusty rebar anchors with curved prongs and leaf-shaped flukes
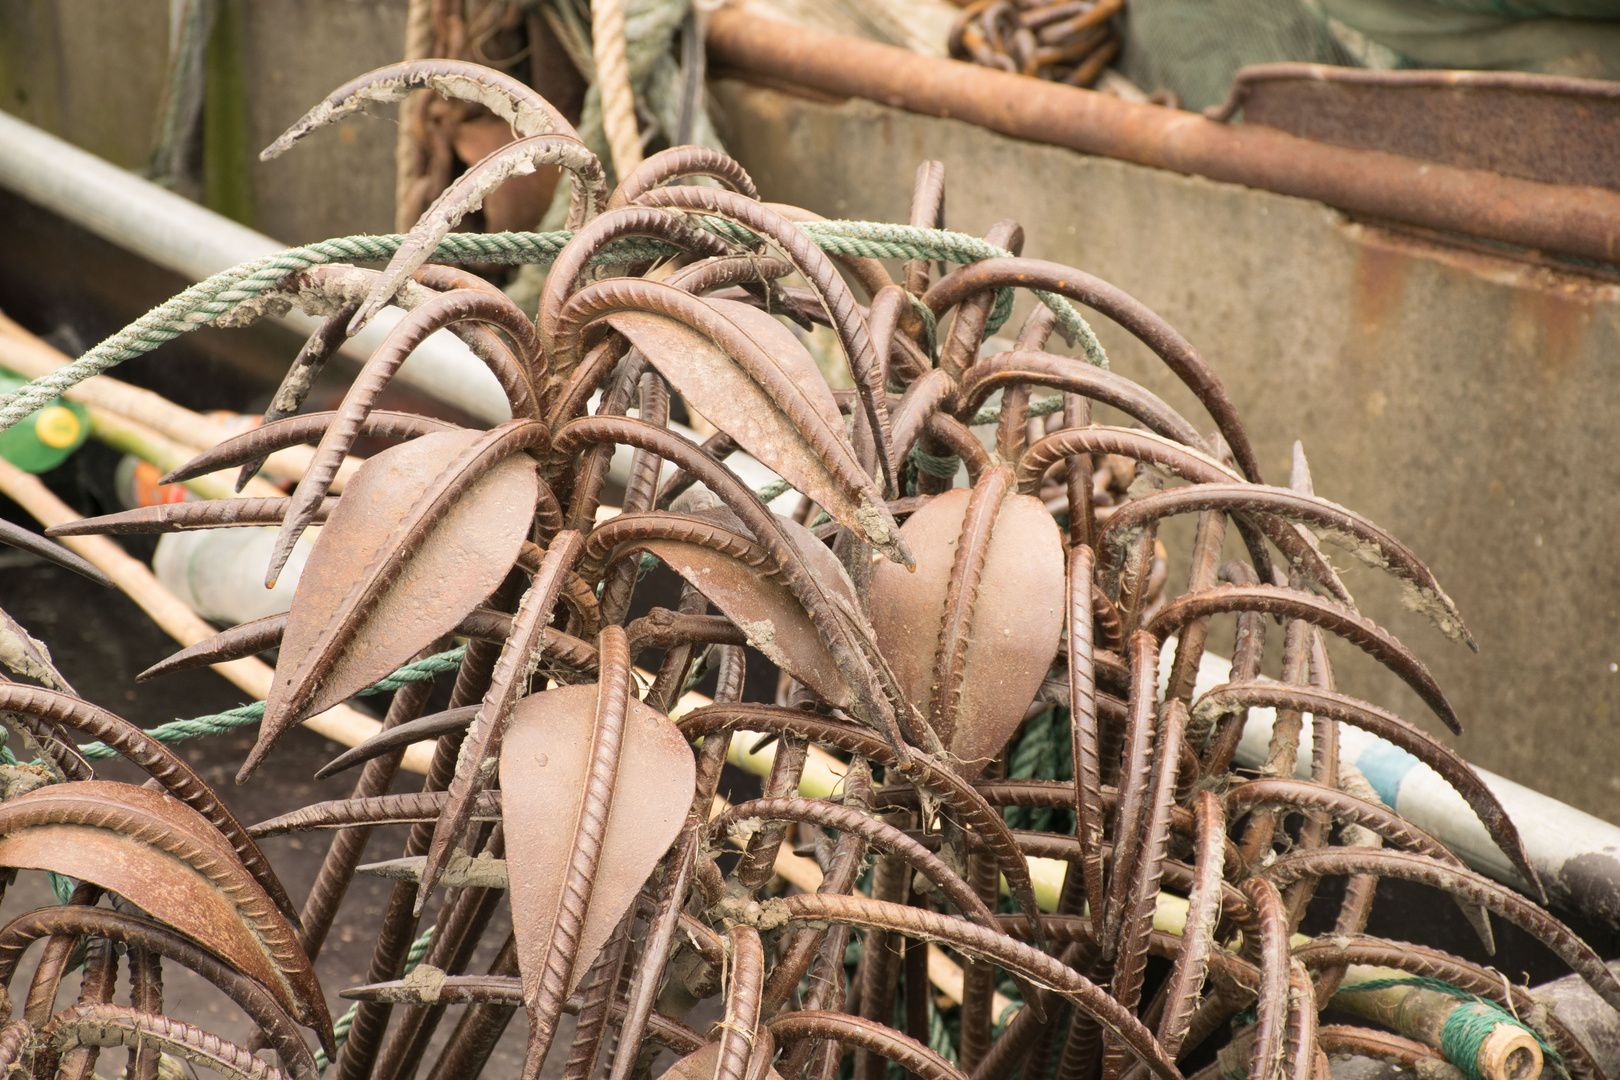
<point x="927" y="632"/>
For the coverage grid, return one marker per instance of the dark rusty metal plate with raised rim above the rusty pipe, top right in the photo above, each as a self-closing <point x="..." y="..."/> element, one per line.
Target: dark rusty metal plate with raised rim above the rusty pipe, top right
<point x="1535" y="127"/>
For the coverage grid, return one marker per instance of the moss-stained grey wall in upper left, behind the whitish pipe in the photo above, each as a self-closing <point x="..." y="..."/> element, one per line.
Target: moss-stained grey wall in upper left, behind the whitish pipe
<point x="93" y="72"/>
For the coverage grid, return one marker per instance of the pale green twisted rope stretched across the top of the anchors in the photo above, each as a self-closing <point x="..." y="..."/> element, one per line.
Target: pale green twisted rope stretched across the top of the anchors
<point x="224" y="292"/>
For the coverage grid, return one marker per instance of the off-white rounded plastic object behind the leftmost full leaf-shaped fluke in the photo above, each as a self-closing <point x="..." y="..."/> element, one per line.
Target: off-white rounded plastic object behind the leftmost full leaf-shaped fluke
<point x="220" y="574"/>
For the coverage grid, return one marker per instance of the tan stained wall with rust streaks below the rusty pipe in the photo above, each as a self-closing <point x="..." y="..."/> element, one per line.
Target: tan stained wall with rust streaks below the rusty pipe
<point x="1467" y="404"/>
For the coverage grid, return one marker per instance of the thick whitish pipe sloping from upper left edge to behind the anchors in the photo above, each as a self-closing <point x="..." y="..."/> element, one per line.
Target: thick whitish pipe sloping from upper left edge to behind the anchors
<point x="179" y="236"/>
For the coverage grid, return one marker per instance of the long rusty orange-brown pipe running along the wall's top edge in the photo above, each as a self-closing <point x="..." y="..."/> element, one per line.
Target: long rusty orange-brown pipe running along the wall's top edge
<point x="1582" y="223"/>
